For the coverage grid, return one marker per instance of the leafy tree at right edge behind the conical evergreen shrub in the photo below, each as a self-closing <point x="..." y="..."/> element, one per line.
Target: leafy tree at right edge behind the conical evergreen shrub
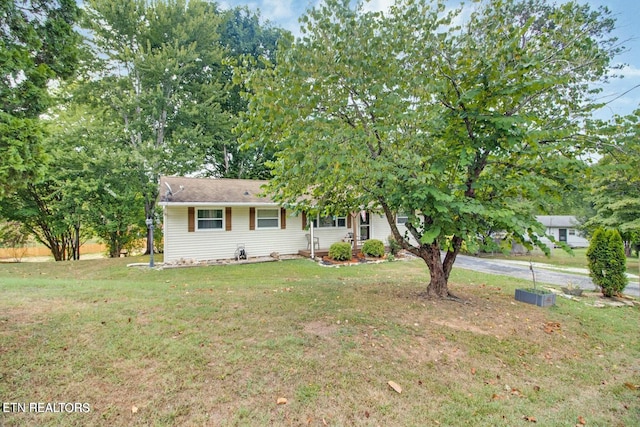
<point x="615" y="186"/>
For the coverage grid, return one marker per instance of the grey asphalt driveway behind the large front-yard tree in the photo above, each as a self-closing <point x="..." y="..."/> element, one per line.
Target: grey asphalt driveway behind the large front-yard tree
<point x="545" y="273"/>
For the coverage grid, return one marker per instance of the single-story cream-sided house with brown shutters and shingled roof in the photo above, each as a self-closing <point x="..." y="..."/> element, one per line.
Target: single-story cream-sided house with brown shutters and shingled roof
<point x="206" y="219"/>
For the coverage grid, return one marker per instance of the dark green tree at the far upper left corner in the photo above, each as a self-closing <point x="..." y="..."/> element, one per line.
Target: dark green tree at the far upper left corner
<point x="37" y="45"/>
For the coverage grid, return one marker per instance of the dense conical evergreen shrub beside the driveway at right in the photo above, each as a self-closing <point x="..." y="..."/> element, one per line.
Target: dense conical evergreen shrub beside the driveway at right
<point x="607" y="262"/>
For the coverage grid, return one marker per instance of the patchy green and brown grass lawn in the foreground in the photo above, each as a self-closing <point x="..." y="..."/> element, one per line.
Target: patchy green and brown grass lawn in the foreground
<point x="219" y="345"/>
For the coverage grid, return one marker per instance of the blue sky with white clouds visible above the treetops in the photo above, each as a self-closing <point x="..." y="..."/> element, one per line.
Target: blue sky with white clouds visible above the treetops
<point x="622" y="95"/>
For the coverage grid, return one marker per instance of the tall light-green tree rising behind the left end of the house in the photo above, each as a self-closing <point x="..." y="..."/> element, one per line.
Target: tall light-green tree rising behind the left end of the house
<point x="160" y="65"/>
